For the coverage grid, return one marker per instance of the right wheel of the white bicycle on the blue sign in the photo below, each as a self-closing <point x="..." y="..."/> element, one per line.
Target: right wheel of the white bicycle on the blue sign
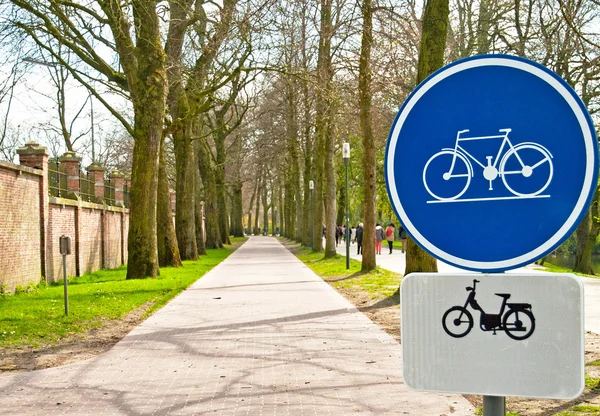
<point x="526" y="169"/>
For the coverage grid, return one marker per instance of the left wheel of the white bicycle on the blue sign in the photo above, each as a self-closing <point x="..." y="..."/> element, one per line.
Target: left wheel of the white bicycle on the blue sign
<point x="447" y="175"/>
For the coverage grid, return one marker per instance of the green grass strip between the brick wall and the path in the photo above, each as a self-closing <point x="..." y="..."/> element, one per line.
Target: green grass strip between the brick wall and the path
<point x="38" y="318"/>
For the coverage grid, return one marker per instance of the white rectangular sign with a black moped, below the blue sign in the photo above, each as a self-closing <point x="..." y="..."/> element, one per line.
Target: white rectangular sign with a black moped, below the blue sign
<point x="493" y="334"/>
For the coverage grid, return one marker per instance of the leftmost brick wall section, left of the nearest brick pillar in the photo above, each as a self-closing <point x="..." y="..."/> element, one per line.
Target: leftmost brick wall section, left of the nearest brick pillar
<point x="20" y="249"/>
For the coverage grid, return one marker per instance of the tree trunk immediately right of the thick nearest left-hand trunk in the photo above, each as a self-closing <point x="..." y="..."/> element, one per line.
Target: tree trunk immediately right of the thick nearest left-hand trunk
<point x="168" y="251"/>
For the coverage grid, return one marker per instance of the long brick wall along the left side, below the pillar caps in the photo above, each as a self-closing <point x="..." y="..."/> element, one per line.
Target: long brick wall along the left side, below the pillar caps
<point x="31" y="224"/>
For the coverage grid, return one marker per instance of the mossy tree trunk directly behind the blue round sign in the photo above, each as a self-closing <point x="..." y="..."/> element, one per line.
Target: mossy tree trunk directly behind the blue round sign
<point x="431" y="58"/>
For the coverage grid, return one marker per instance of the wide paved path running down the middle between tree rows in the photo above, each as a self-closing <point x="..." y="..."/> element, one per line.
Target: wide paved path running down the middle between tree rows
<point x="260" y="334"/>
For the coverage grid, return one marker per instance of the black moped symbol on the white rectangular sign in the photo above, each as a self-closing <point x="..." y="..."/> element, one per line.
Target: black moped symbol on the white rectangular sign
<point x="518" y="321"/>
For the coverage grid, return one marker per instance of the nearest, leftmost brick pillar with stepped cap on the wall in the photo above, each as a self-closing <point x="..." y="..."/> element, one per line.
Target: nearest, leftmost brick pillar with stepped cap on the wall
<point x="36" y="156"/>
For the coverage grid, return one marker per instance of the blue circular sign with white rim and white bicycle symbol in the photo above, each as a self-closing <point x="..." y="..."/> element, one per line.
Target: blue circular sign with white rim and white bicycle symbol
<point x="491" y="162"/>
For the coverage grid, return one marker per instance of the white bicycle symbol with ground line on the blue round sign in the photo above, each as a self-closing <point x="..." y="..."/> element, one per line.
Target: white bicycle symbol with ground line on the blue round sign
<point x="512" y="163"/>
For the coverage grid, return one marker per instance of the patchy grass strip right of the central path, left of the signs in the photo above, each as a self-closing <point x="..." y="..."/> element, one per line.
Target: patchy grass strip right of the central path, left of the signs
<point x="379" y="283"/>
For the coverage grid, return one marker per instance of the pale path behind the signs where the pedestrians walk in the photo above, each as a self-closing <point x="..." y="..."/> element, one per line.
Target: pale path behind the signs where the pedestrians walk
<point x="396" y="262"/>
